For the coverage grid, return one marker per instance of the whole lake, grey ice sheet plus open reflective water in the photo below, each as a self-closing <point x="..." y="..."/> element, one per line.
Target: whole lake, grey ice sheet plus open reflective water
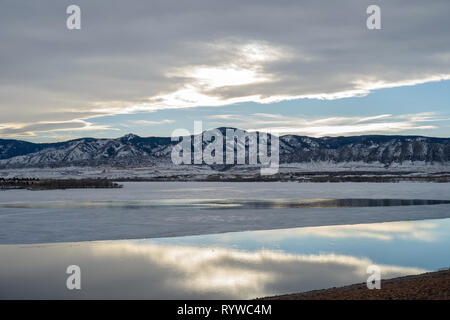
<point x="199" y="240"/>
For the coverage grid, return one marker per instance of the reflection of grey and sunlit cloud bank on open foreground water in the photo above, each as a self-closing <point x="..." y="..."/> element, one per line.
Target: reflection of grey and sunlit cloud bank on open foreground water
<point x="143" y="269"/>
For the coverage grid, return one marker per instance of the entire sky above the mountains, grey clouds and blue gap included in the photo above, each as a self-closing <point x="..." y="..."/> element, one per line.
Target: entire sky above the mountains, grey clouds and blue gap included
<point x="286" y="67"/>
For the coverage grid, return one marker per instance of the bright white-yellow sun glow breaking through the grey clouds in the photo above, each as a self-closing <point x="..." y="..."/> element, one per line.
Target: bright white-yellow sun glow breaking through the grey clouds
<point x="245" y="66"/>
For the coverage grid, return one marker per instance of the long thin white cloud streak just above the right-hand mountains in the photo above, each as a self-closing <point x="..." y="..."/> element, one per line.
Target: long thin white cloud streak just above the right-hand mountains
<point x="330" y="126"/>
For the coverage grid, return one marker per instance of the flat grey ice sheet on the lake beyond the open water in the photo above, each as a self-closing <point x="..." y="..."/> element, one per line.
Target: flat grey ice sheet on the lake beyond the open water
<point x="166" y="209"/>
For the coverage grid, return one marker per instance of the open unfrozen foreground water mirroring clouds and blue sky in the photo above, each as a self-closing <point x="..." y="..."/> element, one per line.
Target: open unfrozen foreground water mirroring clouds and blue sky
<point x="225" y="266"/>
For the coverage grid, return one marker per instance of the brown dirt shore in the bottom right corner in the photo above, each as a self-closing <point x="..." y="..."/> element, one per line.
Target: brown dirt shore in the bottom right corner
<point x="426" y="286"/>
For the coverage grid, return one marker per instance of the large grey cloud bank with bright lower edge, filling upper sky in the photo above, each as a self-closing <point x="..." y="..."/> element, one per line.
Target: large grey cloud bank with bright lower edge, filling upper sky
<point x="134" y="56"/>
